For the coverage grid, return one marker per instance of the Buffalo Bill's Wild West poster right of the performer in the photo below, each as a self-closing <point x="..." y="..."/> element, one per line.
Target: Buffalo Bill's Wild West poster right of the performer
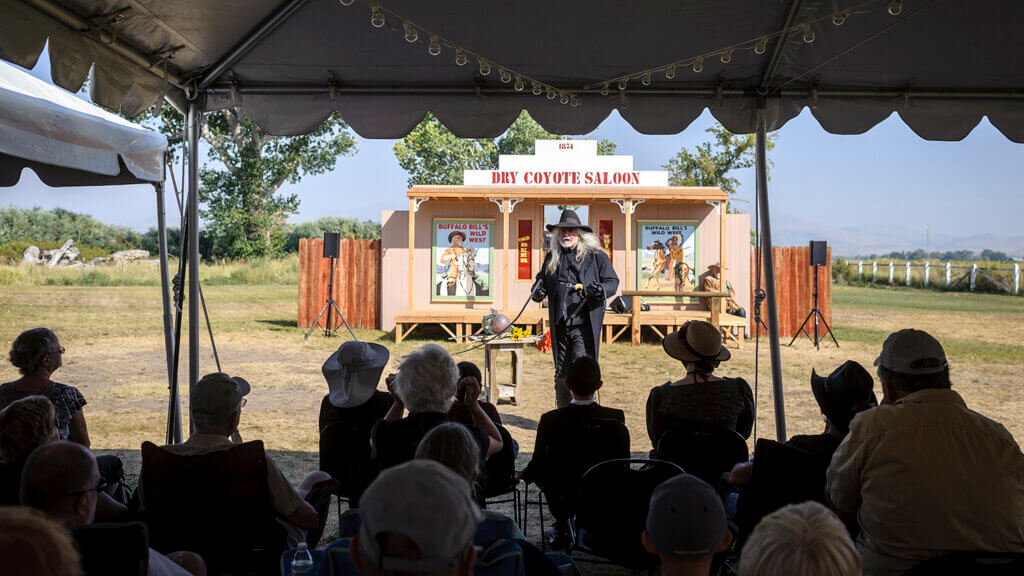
<point x="667" y="256"/>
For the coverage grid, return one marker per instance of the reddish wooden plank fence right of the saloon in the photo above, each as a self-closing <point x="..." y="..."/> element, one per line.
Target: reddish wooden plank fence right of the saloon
<point x="794" y="289"/>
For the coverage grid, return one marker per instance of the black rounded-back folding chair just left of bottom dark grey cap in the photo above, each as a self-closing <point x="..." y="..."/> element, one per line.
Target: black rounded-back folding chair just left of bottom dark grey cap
<point x="612" y="510"/>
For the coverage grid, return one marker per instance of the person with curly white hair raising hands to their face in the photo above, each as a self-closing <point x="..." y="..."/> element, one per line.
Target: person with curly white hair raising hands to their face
<point x="426" y="384"/>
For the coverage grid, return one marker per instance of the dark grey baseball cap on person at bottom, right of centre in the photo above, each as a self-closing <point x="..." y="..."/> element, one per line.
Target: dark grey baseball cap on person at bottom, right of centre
<point x="687" y="518"/>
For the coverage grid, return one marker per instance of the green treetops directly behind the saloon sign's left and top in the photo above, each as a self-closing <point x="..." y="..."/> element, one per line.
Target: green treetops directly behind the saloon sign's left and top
<point x="433" y="155"/>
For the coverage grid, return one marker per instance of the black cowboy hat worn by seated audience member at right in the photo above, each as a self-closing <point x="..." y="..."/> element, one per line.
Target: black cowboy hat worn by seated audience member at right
<point x="844" y="393"/>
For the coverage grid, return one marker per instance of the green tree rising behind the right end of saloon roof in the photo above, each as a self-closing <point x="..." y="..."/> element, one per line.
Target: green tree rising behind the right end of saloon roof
<point x="710" y="164"/>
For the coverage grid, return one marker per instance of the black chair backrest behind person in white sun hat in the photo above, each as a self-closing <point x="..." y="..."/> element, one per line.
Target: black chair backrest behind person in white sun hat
<point x="345" y="454"/>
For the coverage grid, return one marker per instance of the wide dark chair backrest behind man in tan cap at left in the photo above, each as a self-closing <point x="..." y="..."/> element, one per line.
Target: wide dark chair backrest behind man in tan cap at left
<point x="217" y="504"/>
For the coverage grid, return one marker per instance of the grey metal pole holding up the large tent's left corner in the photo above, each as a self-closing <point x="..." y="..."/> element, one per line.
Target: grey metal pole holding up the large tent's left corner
<point x="193" y="220"/>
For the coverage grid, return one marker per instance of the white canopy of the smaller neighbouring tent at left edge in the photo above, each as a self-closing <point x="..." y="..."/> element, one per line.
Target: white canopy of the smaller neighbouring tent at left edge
<point x="69" y="142"/>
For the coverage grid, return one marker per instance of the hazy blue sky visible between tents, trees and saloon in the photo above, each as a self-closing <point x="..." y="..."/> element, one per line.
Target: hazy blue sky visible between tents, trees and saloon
<point x="871" y="193"/>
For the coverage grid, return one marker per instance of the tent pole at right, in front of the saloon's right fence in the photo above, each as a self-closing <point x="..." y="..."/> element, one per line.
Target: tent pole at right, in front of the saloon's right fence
<point x="770" y="273"/>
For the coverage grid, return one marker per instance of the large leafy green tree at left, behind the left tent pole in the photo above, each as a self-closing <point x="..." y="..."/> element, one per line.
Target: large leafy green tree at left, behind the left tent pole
<point x="243" y="210"/>
